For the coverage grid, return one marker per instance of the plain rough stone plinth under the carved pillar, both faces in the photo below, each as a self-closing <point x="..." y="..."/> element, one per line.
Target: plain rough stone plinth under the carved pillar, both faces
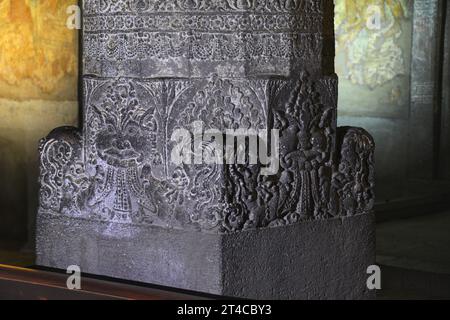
<point x="310" y="260"/>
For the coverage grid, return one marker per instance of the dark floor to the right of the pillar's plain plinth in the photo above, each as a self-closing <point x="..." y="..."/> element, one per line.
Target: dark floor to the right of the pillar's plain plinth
<point x="415" y="257"/>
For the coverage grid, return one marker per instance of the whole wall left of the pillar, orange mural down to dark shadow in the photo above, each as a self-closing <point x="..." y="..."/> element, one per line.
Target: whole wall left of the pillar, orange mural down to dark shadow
<point x="38" y="92"/>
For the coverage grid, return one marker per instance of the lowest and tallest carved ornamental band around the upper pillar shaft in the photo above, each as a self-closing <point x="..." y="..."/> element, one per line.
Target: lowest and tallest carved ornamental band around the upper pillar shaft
<point x="199" y="46"/>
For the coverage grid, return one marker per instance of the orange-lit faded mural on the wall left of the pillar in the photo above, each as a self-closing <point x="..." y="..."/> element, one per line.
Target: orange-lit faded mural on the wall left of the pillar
<point x="38" y="53"/>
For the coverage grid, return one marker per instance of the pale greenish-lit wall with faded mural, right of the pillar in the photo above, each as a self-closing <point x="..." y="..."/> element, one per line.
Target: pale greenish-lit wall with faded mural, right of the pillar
<point x="387" y="60"/>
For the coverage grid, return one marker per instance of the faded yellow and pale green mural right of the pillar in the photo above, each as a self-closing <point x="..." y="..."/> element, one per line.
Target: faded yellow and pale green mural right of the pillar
<point x="368" y="33"/>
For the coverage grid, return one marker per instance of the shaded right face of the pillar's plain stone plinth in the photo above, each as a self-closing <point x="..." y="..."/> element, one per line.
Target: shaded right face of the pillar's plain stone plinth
<point x="325" y="259"/>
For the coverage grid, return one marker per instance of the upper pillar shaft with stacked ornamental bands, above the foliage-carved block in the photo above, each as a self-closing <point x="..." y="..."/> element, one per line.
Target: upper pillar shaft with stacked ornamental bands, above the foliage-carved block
<point x="270" y="37"/>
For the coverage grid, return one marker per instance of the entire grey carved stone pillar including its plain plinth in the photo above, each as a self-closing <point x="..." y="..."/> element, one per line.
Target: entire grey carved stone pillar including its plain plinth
<point x="114" y="201"/>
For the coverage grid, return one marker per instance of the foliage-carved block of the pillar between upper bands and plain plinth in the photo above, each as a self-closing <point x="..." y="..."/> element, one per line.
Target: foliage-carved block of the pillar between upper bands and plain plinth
<point x="120" y="170"/>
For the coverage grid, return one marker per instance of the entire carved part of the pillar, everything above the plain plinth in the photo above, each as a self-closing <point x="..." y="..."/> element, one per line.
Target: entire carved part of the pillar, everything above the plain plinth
<point x="119" y="168"/>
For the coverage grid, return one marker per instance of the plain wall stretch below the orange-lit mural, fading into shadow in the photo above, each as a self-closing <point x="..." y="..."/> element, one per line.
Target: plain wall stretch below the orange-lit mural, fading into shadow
<point x="22" y="125"/>
